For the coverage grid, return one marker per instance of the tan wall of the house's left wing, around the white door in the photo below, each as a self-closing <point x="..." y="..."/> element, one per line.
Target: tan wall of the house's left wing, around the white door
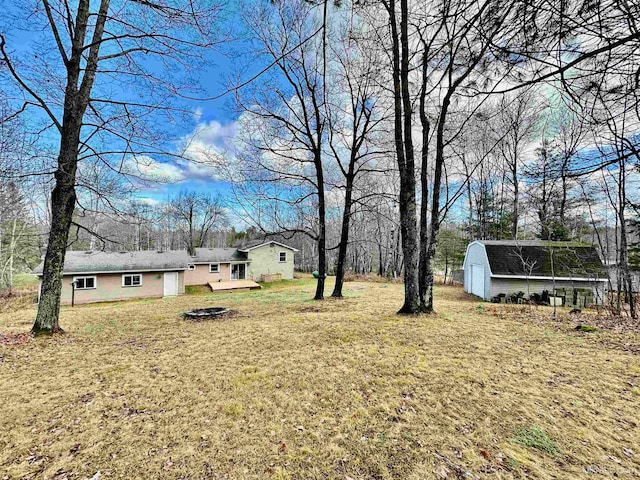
<point x="110" y="287"/>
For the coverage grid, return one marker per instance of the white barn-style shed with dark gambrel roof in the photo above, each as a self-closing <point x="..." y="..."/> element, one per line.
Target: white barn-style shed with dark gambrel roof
<point x="495" y="268"/>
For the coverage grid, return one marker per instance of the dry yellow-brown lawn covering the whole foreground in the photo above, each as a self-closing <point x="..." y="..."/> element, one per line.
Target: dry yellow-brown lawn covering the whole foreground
<point x="292" y="388"/>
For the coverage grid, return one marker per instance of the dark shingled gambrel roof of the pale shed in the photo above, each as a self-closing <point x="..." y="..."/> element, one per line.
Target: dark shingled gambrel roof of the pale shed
<point x="536" y="258"/>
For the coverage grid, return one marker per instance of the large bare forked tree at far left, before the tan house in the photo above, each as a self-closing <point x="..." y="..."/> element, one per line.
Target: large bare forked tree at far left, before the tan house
<point x="101" y="48"/>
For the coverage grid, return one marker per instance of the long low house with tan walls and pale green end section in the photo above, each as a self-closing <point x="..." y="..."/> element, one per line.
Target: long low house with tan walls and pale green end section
<point x="97" y="276"/>
